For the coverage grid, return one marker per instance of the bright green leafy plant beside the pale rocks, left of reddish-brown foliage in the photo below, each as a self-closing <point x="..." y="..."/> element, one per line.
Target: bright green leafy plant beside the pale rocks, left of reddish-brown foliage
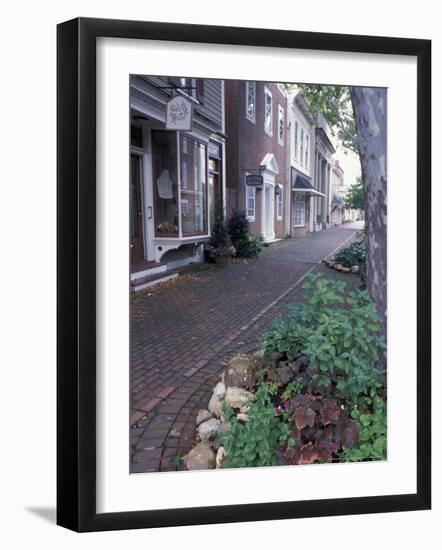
<point x="255" y="442"/>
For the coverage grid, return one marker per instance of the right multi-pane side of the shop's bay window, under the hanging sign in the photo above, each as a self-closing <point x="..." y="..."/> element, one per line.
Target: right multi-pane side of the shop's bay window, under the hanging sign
<point x="194" y="192"/>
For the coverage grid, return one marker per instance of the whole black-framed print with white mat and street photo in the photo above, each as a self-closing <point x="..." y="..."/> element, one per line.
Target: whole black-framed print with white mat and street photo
<point x="243" y="274"/>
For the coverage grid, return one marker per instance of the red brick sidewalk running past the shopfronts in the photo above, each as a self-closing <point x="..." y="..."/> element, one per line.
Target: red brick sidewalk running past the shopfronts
<point x="183" y="334"/>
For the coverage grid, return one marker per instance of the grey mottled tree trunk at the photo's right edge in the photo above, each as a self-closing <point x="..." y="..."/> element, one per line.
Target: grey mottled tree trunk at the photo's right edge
<point x="370" y="112"/>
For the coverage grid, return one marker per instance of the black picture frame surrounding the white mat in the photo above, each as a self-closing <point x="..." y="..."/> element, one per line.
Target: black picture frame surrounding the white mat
<point x="76" y="273"/>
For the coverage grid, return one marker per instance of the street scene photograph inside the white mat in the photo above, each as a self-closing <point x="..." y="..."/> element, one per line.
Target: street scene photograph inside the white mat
<point x="258" y="273"/>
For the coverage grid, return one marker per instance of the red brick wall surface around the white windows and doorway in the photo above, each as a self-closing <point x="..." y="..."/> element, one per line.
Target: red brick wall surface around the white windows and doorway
<point x="247" y="145"/>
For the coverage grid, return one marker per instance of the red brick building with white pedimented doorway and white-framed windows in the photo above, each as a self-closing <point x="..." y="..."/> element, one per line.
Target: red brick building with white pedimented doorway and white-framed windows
<point x="256" y="124"/>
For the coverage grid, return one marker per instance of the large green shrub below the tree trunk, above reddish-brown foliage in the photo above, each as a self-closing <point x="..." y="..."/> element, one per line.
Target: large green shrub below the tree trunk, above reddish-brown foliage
<point x="338" y="333"/>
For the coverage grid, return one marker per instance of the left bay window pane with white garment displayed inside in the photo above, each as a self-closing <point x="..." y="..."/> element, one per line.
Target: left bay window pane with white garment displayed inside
<point x="165" y="183"/>
